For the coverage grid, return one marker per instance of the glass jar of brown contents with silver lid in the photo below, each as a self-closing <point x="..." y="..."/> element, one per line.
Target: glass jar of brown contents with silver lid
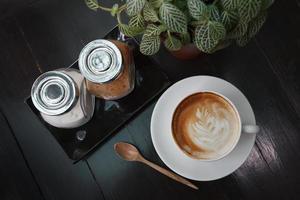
<point x="108" y="67"/>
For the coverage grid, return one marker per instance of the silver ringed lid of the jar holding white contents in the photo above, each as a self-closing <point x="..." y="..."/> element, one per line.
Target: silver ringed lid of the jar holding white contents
<point x="53" y="93"/>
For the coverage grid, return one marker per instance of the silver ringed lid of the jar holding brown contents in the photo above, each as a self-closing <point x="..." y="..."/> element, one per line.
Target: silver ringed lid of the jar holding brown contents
<point x="100" y="61"/>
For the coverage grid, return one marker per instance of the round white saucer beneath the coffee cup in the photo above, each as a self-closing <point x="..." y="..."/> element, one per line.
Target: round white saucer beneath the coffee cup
<point x="166" y="147"/>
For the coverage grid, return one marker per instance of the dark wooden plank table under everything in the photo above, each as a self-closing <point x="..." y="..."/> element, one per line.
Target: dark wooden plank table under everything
<point x="40" y="35"/>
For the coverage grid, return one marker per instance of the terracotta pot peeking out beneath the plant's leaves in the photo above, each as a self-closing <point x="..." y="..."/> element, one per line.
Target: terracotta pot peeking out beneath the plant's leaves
<point x="187" y="52"/>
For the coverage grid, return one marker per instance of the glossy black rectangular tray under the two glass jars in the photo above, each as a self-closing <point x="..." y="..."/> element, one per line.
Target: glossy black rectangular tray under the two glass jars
<point x="109" y="116"/>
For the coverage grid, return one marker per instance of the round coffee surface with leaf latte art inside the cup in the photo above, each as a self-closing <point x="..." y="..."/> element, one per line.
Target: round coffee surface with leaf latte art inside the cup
<point x="205" y="125"/>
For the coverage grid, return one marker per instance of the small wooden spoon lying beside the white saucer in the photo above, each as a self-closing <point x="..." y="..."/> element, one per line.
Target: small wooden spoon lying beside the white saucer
<point x="130" y="153"/>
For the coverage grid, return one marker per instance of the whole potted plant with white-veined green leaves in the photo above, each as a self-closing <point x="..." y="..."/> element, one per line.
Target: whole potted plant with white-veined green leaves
<point x="189" y="27"/>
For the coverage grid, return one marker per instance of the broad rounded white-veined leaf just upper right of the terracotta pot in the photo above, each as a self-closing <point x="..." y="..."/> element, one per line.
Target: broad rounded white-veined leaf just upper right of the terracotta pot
<point x="208" y="35"/>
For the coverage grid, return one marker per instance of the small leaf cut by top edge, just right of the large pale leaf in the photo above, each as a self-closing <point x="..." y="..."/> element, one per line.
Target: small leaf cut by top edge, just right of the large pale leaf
<point x="197" y="8"/>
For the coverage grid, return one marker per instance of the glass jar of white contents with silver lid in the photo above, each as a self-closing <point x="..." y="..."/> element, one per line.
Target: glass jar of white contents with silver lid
<point x="62" y="98"/>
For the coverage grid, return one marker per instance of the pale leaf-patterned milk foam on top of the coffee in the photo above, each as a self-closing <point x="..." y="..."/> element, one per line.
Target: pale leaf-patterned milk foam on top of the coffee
<point x="211" y="127"/>
